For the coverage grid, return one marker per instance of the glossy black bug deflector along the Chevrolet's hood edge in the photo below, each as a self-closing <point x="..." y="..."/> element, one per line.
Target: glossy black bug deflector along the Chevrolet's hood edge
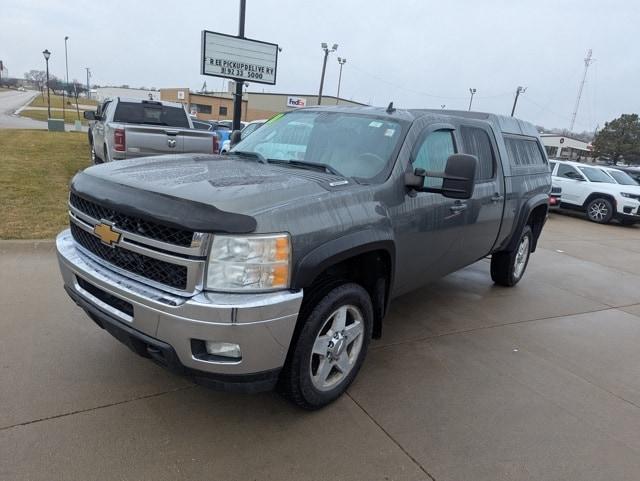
<point x="160" y="208"/>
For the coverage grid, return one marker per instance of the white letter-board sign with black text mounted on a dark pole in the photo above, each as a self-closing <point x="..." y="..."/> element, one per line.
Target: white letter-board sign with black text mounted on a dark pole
<point x="238" y="58"/>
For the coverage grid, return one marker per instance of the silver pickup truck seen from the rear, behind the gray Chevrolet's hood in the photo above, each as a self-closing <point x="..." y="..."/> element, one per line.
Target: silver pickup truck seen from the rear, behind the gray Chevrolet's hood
<point x="128" y="128"/>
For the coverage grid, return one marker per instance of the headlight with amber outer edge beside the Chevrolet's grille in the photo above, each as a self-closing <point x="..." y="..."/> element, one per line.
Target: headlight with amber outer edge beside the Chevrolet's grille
<point x="242" y="263"/>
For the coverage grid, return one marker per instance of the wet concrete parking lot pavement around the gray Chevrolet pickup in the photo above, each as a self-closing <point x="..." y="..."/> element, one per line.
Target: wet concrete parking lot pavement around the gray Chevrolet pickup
<point x="470" y="382"/>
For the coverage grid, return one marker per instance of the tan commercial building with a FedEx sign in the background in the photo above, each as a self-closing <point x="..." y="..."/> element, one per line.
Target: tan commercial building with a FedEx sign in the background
<point x="255" y="105"/>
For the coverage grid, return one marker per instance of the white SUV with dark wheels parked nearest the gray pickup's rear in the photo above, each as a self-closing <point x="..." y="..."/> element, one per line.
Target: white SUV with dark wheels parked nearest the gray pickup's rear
<point x="591" y="190"/>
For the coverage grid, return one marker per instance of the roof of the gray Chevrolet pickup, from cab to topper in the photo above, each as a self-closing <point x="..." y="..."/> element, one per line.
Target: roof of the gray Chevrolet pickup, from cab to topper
<point x="507" y="125"/>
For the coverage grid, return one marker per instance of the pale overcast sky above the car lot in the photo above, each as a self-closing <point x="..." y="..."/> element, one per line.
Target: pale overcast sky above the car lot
<point x="418" y="54"/>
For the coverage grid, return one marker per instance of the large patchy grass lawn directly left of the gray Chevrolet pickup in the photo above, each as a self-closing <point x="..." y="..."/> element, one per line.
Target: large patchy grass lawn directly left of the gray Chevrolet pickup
<point x="36" y="169"/>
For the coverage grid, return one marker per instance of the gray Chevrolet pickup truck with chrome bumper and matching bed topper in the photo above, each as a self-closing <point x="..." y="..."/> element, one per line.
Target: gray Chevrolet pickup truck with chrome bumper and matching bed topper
<point x="274" y="265"/>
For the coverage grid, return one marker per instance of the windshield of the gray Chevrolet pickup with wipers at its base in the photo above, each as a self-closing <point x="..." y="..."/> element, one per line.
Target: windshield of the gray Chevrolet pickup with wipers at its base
<point x="352" y="145"/>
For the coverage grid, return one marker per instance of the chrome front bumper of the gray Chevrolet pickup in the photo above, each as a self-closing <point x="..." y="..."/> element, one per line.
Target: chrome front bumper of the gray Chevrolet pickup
<point x="169" y="328"/>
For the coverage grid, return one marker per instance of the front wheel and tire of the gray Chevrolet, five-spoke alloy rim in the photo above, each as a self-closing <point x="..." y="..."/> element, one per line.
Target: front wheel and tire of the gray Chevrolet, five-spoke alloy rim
<point x="329" y="350"/>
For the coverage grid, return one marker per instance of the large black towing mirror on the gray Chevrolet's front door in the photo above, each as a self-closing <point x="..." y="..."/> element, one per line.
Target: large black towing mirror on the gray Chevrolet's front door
<point x="458" y="179"/>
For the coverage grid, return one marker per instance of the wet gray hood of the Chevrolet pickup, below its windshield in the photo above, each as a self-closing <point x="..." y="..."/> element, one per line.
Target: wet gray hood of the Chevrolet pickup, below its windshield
<point x="228" y="184"/>
